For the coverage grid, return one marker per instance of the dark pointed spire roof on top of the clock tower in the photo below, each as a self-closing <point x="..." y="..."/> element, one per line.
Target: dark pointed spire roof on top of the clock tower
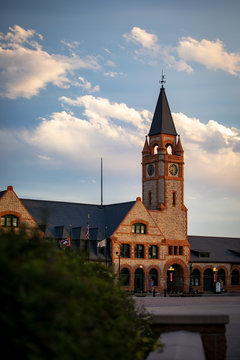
<point x="162" y="122"/>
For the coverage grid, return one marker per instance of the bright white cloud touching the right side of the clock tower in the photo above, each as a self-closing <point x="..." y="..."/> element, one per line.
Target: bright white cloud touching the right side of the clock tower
<point x="211" y="150"/>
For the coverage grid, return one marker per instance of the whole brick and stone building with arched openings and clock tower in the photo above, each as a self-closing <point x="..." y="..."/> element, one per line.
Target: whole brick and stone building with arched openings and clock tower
<point x="146" y="240"/>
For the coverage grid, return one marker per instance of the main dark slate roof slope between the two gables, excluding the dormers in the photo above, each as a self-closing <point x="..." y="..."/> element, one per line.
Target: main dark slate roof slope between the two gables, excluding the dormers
<point x="65" y="216"/>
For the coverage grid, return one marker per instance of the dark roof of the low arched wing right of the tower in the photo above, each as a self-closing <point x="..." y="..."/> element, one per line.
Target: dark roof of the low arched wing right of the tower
<point x="220" y="249"/>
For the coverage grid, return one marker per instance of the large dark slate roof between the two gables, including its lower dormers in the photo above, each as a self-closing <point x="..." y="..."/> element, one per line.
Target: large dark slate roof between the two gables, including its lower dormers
<point x="63" y="219"/>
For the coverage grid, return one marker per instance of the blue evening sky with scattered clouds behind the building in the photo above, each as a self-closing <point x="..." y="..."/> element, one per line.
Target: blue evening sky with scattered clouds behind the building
<point x="79" y="80"/>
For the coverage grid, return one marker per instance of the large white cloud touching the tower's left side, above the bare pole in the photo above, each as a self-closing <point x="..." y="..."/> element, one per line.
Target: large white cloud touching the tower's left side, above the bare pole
<point x="111" y="129"/>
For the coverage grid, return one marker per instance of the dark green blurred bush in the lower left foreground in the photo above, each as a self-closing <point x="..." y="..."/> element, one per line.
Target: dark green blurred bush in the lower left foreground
<point x="55" y="305"/>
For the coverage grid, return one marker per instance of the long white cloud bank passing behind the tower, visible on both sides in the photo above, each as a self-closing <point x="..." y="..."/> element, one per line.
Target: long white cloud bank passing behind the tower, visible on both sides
<point x="117" y="132"/>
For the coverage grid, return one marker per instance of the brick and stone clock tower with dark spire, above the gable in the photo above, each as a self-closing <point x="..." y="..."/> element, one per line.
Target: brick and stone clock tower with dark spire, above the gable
<point x="163" y="161"/>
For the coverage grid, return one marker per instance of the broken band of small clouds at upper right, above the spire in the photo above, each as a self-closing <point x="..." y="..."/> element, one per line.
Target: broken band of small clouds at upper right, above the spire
<point x="211" y="54"/>
